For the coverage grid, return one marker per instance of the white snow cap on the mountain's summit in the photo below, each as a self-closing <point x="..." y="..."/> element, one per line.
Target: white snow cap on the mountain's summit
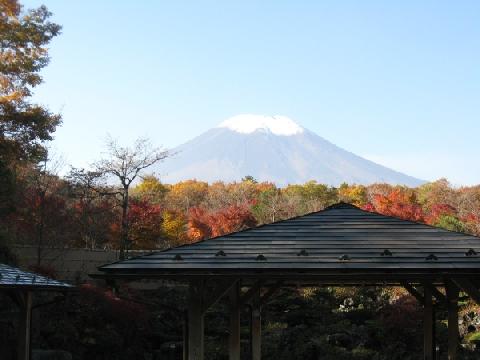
<point x="249" y="123"/>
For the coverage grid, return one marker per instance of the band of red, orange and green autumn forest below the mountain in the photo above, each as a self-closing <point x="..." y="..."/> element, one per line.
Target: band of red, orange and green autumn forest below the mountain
<point x="48" y="210"/>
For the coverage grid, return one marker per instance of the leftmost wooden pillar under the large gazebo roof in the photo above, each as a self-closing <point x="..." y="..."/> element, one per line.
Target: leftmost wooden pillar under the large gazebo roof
<point x="195" y="320"/>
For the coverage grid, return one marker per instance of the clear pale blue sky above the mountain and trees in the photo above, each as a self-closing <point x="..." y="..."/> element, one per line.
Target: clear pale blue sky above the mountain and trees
<point x="395" y="81"/>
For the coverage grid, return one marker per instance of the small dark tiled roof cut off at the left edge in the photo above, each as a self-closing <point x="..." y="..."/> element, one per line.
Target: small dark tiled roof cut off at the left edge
<point x="12" y="277"/>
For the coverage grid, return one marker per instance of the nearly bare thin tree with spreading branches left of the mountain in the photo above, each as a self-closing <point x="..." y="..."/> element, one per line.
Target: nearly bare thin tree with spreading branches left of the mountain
<point x="123" y="165"/>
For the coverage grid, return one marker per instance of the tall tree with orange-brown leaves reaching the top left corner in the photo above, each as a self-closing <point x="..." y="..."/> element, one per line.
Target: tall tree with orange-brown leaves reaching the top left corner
<point x="24" y="126"/>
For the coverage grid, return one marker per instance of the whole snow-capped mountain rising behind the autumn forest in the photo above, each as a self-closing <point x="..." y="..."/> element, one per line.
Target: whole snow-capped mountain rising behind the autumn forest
<point x="275" y="149"/>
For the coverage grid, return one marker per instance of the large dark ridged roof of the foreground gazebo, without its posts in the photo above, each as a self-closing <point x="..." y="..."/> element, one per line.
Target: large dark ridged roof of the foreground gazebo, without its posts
<point x="340" y="241"/>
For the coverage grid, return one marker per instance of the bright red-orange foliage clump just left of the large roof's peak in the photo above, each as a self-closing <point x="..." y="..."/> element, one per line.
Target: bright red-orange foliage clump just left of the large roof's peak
<point x="233" y="218"/>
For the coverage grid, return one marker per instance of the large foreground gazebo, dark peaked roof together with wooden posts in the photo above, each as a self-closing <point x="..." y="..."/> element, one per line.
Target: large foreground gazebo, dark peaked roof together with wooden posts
<point x="342" y="245"/>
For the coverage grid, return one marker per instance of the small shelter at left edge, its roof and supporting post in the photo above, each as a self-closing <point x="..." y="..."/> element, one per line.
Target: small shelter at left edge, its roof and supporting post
<point x="20" y="286"/>
